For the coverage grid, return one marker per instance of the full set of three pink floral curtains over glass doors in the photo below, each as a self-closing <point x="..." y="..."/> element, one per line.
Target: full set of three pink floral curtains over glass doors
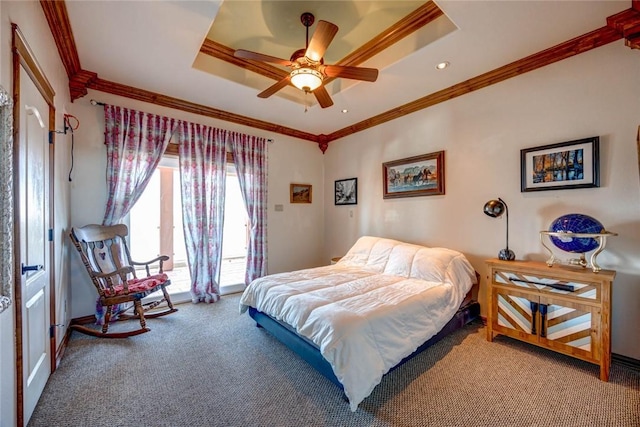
<point x="135" y="144"/>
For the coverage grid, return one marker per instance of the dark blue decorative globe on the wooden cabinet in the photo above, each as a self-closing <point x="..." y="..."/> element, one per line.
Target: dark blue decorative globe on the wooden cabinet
<point x="576" y="223"/>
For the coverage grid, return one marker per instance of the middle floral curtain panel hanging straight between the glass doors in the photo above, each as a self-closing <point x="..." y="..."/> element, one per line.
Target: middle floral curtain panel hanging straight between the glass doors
<point x="203" y="173"/>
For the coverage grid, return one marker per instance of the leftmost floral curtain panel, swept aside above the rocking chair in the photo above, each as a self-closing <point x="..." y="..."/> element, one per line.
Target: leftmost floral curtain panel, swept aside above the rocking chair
<point x="135" y="143"/>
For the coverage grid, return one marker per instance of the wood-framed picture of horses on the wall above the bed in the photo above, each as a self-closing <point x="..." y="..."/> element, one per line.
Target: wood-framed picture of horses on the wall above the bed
<point x="414" y="176"/>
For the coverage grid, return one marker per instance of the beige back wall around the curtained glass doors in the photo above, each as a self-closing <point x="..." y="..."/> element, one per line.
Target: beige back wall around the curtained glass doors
<point x="295" y="235"/>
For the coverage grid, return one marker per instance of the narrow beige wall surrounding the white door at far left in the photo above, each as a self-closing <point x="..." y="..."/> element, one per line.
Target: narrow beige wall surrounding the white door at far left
<point x="32" y="23"/>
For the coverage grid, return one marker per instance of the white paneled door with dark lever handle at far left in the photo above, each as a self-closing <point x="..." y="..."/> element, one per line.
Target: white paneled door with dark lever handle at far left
<point x="34" y="243"/>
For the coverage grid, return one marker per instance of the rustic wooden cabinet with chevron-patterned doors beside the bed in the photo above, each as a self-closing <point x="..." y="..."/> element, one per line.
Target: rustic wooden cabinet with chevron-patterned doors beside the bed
<point x="564" y="309"/>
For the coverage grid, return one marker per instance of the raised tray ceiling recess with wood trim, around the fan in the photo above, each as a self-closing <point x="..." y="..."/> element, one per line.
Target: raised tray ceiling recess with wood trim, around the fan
<point x="245" y="40"/>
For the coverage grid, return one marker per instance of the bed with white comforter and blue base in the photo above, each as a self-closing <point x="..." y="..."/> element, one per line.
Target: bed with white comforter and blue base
<point x="383" y="302"/>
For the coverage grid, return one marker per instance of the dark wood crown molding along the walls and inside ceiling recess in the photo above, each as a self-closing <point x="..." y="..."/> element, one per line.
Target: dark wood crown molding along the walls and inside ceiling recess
<point x="625" y="24"/>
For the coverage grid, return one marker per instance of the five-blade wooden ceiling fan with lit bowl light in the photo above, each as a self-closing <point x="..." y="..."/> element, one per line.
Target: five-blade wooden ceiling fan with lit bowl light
<point x="308" y="70"/>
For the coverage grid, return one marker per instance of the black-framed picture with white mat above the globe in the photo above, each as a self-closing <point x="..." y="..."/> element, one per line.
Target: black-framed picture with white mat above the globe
<point x="566" y="165"/>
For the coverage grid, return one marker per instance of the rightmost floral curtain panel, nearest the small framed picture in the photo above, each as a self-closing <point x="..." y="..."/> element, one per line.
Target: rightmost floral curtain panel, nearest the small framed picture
<point x="250" y="158"/>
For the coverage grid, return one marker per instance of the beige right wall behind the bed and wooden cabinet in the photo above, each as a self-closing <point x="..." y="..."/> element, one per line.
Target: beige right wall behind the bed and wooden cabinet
<point x="482" y="133"/>
